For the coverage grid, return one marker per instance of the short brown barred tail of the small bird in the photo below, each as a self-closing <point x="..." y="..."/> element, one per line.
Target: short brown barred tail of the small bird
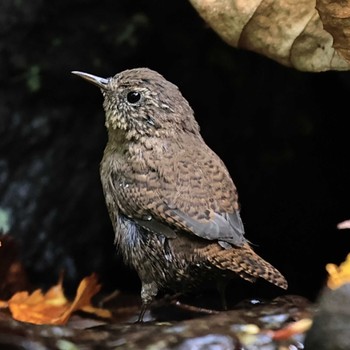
<point x="244" y="262"/>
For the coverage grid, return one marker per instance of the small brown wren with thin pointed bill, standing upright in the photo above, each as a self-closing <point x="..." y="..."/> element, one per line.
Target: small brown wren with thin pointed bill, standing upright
<point x="171" y="200"/>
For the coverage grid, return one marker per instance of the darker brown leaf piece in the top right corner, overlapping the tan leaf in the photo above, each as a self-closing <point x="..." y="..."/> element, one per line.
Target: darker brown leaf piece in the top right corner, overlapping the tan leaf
<point x="335" y="16"/>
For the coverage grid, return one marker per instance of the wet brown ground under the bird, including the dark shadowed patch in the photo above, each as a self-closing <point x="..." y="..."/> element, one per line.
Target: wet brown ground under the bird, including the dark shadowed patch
<point x="252" y="324"/>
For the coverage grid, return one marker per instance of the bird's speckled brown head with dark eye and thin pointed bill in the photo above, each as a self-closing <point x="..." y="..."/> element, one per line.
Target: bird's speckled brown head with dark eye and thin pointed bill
<point x="142" y="102"/>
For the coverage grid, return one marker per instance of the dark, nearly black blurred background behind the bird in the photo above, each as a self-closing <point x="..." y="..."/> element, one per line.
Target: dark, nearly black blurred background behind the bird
<point x="283" y="135"/>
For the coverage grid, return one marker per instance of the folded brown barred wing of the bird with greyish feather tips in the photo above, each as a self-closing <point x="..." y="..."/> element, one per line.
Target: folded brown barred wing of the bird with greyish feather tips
<point x="188" y="189"/>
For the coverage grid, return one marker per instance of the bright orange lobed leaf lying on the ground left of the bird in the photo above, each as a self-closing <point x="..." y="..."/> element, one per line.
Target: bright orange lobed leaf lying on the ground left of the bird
<point x="53" y="307"/>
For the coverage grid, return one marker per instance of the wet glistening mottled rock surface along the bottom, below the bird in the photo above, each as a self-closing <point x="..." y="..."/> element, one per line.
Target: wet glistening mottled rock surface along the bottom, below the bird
<point x="246" y="328"/>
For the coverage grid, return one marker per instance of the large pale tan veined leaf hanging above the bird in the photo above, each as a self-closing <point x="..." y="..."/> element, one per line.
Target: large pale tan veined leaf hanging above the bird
<point x="287" y="31"/>
